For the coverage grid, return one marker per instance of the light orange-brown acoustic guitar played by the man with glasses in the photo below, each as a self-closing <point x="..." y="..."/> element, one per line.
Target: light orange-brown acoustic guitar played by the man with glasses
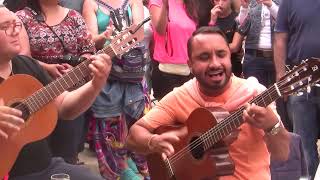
<point x="27" y="94"/>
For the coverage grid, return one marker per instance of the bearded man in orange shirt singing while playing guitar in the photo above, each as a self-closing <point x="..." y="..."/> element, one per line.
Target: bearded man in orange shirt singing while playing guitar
<point x="214" y="86"/>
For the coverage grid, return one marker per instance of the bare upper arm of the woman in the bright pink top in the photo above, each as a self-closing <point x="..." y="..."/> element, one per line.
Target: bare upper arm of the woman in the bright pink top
<point x="159" y="17"/>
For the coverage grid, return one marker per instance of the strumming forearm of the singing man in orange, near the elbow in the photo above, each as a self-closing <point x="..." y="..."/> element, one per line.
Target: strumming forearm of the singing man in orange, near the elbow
<point x="138" y="139"/>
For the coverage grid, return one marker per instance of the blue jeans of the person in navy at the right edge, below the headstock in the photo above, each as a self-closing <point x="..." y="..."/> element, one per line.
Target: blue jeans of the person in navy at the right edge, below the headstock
<point x="304" y="112"/>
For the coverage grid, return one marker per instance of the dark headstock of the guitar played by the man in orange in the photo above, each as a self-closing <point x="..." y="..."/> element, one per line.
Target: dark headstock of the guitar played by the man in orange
<point x="301" y="77"/>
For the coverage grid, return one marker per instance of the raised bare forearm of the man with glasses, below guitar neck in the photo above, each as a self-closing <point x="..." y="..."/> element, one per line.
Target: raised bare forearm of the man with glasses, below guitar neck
<point x="78" y="101"/>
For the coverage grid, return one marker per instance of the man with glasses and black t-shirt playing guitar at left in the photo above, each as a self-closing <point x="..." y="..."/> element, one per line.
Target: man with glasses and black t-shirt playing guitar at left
<point x="34" y="160"/>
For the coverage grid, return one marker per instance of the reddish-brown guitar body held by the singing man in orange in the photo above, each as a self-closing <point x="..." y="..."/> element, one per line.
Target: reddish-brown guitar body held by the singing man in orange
<point x="194" y="165"/>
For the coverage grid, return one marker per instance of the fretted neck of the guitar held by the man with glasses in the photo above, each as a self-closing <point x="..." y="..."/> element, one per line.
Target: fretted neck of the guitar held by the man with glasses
<point x="46" y="94"/>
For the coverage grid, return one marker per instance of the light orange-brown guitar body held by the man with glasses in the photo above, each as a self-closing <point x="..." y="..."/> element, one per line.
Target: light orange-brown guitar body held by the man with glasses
<point x="37" y="126"/>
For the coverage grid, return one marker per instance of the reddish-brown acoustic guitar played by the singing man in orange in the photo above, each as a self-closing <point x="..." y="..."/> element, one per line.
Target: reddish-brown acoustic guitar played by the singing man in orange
<point x="193" y="158"/>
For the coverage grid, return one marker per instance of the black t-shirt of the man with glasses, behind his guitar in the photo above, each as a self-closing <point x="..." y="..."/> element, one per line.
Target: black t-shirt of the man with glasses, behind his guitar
<point x="35" y="156"/>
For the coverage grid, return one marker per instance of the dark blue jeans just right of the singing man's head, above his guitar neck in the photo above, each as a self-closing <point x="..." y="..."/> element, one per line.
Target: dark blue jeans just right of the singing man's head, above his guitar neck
<point x="260" y="67"/>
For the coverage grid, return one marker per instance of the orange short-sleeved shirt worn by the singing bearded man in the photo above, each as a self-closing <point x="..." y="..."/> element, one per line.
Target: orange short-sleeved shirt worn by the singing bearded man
<point x="249" y="152"/>
